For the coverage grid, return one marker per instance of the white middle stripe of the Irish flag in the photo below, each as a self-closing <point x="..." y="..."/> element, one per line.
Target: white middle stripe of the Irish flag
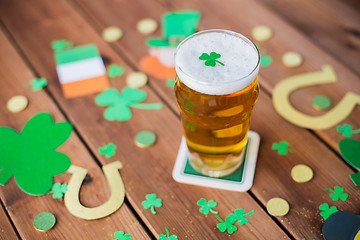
<point x="81" y="70"/>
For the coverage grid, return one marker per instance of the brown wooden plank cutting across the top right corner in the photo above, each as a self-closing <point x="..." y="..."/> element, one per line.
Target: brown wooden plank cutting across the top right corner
<point x="333" y="25"/>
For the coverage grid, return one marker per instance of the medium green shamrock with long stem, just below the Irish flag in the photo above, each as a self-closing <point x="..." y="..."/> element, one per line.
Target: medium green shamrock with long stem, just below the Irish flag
<point x="119" y="103"/>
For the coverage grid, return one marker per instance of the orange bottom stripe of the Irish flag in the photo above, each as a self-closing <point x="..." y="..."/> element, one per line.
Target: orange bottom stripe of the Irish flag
<point x="85" y="87"/>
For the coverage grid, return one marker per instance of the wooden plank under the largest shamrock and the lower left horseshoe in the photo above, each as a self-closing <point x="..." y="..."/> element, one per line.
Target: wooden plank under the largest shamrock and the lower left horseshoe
<point x="22" y="208"/>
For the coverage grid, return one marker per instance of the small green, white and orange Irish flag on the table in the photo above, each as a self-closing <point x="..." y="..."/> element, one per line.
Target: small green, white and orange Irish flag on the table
<point x="81" y="71"/>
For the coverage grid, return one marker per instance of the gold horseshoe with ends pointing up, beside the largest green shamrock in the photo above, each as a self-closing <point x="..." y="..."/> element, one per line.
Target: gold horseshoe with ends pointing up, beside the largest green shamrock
<point x="115" y="201"/>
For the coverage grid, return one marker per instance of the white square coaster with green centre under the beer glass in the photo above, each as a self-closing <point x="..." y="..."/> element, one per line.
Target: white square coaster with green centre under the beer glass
<point x="241" y="180"/>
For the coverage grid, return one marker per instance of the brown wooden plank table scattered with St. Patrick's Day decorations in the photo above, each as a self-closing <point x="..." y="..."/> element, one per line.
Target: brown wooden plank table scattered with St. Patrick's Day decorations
<point x="324" y="32"/>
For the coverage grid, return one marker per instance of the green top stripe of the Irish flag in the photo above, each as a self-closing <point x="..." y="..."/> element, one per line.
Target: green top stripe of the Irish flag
<point x="76" y="54"/>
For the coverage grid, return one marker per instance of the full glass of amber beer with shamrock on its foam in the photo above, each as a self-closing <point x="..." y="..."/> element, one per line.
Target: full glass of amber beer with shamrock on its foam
<point x="216" y="89"/>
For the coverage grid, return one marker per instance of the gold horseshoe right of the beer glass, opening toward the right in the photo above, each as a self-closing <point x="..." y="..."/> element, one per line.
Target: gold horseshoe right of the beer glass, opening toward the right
<point x="283" y="106"/>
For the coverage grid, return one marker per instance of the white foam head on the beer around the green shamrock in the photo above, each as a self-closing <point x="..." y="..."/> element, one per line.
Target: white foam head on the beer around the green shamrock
<point x="239" y="55"/>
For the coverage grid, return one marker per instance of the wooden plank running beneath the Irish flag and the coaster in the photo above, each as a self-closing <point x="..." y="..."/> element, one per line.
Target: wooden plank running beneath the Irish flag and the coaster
<point x="145" y="170"/>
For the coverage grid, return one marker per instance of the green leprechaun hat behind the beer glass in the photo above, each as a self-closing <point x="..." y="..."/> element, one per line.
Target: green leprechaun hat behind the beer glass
<point x="176" y="26"/>
